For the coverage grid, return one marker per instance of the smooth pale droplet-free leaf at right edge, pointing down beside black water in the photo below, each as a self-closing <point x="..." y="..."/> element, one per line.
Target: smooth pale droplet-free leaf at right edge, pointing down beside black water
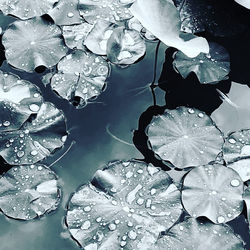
<point x="232" y="114"/>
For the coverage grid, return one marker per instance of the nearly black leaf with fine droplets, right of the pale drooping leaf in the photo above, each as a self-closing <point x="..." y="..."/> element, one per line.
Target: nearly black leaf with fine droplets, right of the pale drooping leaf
<point x="221" y="18"/>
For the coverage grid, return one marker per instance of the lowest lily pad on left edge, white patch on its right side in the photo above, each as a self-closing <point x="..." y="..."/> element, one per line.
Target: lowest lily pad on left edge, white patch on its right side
<point x="27" y="192"/>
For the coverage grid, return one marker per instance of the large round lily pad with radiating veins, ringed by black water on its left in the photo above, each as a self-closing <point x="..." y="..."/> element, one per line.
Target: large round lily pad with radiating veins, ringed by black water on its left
<point x="184" y="136"/>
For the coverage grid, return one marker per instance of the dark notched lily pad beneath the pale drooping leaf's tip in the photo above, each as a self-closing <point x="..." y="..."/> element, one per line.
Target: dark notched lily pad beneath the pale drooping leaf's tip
<point x="209" y="68"/>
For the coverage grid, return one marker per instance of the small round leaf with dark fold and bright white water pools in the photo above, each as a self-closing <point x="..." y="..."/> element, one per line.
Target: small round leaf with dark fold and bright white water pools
<point x="125" y="46"/>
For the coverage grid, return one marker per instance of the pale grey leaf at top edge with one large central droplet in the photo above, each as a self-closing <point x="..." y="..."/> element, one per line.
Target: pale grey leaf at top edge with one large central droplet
<point x="66" y="13"/>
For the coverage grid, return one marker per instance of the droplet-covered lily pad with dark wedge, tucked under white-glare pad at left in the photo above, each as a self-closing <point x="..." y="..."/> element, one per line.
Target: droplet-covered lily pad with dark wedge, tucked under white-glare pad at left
<point x="36" y="139"/>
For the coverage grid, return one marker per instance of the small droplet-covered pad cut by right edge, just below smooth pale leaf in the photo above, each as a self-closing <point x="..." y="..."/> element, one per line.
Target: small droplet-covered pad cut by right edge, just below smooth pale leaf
<point x="237" y="146"/>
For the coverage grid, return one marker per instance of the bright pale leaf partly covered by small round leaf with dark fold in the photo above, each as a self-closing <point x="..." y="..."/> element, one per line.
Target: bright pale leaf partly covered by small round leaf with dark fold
<point x="96" y="40"/>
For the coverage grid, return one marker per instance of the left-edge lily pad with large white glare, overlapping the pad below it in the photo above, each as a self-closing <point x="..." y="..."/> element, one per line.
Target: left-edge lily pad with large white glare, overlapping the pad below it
<point x="18" y="100"/>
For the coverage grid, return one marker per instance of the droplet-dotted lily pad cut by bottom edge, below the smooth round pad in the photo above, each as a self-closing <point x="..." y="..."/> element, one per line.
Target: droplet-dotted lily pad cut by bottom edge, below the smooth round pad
<point x="192" y="234"/>
